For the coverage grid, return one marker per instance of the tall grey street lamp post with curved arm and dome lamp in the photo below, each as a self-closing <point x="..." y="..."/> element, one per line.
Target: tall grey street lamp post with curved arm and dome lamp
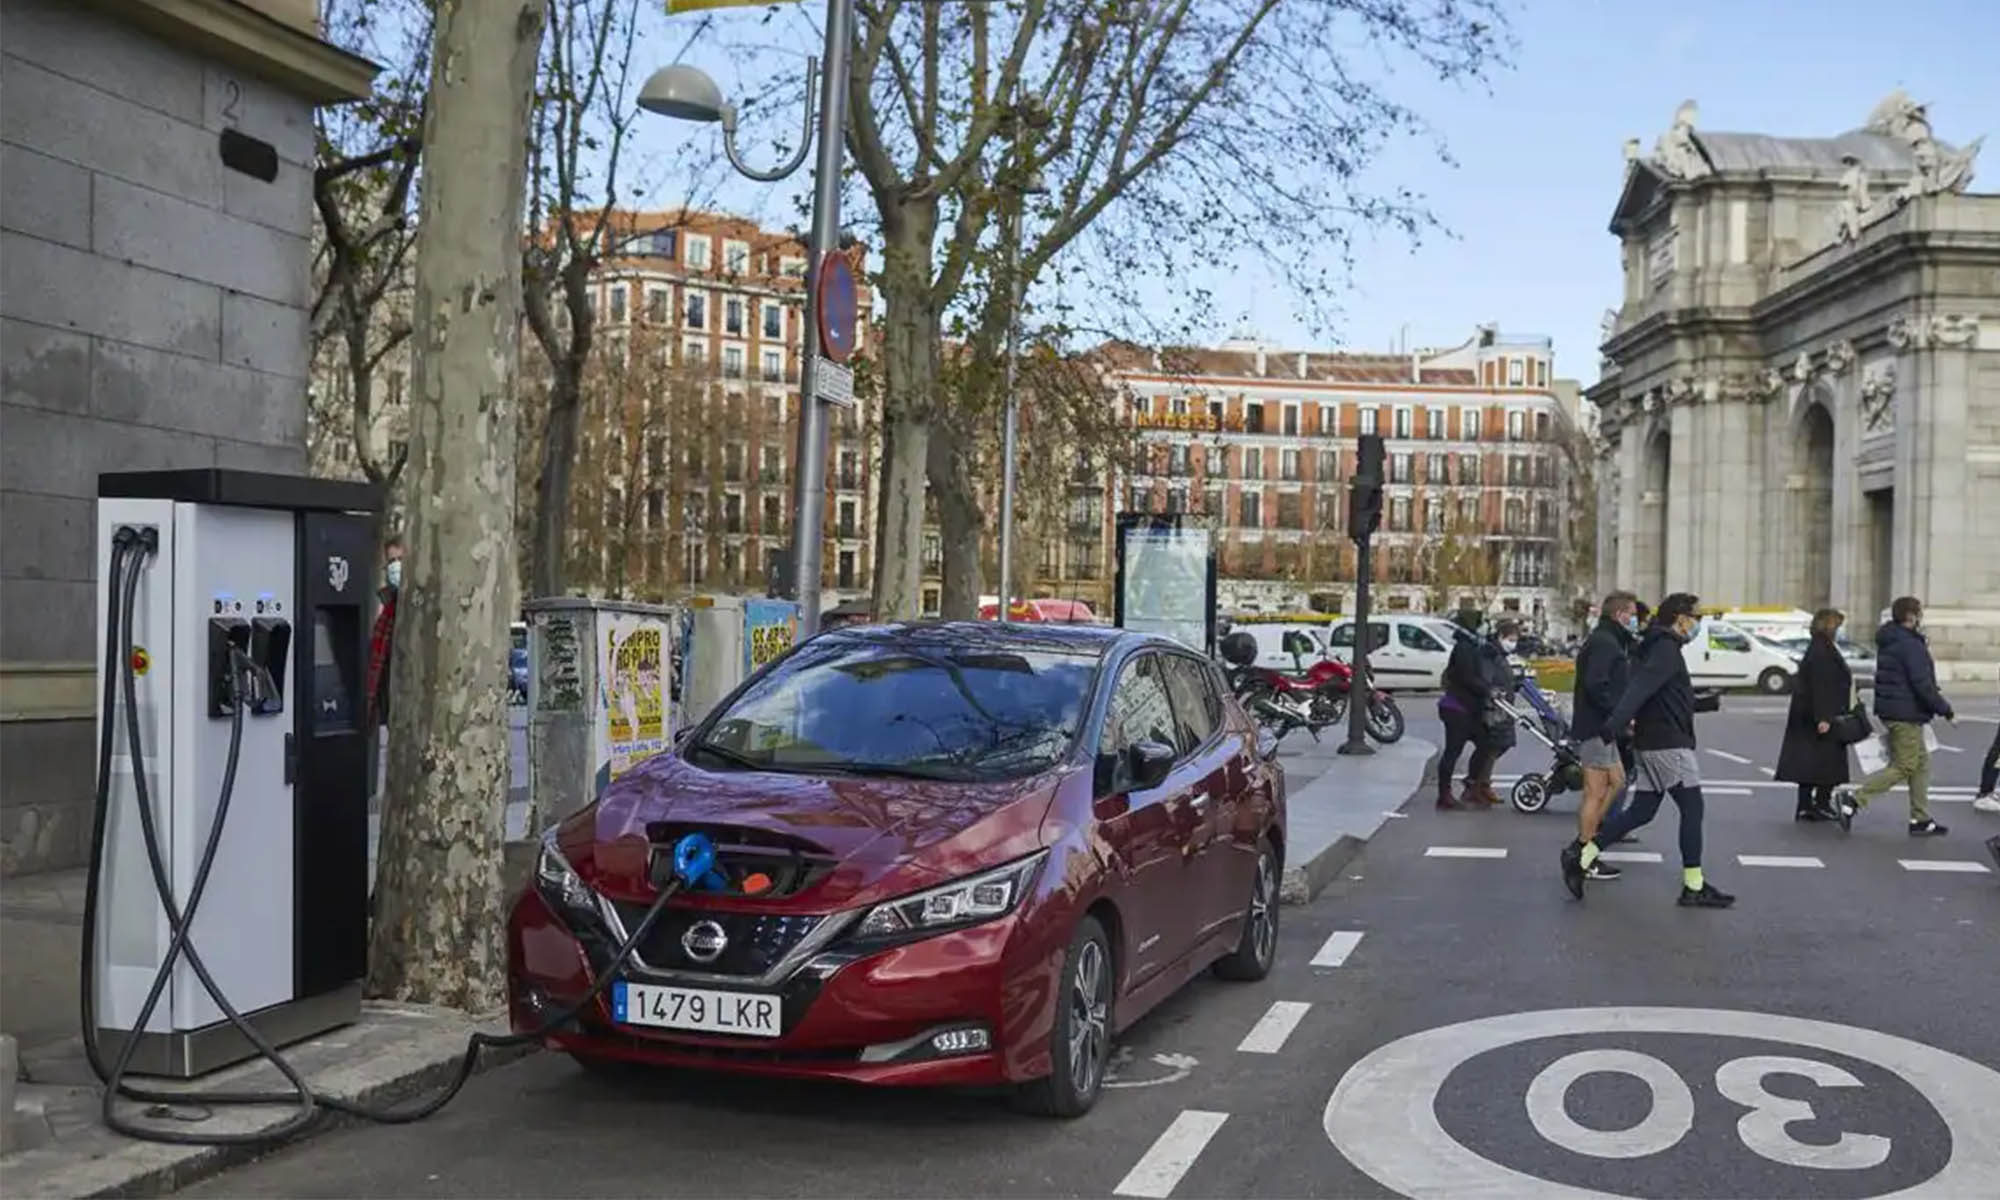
<point x="687" y="93"/>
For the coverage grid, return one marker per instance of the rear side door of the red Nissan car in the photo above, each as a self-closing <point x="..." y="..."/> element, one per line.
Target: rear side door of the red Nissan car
<point x="1219" y="871"/>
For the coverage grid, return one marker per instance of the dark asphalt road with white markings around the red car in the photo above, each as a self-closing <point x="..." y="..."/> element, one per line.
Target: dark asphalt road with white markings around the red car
<point x="1437" y="1023"/>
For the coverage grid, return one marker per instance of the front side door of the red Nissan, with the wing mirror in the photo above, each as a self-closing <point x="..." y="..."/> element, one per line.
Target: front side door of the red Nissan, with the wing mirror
<point x="1147" y="829"/>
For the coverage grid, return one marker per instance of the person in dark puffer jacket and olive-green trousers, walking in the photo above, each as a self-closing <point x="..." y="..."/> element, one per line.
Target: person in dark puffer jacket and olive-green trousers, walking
<point x="1907" y="701"/>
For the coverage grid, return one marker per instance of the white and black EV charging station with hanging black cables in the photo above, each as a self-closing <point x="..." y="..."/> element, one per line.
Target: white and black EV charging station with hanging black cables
<point x="239" y="577"/>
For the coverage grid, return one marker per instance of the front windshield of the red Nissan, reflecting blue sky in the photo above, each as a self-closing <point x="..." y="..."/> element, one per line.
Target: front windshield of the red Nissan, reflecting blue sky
<point x="907" y="711"/>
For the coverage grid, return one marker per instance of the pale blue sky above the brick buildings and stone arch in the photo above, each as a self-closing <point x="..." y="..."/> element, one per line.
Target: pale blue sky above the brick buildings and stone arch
<point x="1539" y="153"/>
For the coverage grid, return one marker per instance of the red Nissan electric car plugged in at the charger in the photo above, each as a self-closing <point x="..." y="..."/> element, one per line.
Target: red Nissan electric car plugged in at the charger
<point x="945" y="855"/>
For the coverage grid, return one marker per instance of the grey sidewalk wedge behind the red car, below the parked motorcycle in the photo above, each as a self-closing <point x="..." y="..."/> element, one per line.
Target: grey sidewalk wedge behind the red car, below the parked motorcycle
<point x="1337" y="803"/>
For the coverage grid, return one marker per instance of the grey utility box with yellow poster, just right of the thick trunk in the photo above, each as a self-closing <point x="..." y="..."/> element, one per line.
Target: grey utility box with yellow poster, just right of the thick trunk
<point x="601" y="679"/>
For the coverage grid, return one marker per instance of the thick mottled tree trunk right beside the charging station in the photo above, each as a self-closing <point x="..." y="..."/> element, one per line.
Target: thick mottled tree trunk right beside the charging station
<point x="437" y="931"/>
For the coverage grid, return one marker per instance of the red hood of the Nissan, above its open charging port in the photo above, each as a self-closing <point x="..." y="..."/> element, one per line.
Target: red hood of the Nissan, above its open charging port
<point x="885" y="835"/>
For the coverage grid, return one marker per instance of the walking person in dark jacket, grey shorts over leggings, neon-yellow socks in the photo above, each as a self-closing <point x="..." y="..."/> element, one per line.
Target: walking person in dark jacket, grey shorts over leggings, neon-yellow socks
<point x="1661" y="705"/>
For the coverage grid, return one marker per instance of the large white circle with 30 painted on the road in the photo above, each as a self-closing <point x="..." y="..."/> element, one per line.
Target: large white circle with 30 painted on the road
<point x="1383" y="1115"/>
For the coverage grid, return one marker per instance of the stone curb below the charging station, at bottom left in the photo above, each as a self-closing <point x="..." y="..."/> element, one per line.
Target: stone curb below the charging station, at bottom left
<point x="151" y="1169"/>
